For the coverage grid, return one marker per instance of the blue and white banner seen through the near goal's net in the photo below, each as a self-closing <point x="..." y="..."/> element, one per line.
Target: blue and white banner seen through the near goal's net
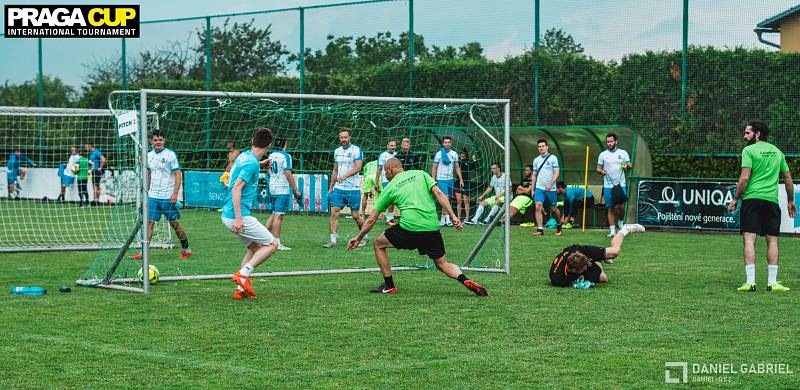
<point x="203" y="189"/>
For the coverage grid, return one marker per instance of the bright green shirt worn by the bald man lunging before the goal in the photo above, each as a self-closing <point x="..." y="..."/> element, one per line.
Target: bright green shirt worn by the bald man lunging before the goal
<point x="410" y="191"/>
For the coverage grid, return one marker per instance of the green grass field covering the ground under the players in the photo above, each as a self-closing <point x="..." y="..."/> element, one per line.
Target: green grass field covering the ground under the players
<point x="672" y="297"/>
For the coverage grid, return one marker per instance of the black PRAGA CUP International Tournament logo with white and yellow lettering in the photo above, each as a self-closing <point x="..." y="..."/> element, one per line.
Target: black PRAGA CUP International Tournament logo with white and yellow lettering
<point x="72" y="21"/>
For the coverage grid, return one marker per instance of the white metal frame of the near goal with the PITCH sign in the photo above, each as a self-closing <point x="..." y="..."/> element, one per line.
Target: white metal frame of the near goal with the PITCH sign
<point x="500" y="137"/>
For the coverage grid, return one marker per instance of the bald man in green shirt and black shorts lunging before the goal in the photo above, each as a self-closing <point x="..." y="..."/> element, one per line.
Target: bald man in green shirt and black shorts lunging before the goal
<point x="413" y="192"/>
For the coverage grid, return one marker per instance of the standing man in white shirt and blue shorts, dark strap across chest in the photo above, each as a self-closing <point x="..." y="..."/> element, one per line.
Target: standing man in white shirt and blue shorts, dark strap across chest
<point x="544" y="178"/>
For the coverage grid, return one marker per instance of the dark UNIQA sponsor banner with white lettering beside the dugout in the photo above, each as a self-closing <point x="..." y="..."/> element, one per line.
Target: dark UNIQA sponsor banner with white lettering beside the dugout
<point x="689" y="205"/>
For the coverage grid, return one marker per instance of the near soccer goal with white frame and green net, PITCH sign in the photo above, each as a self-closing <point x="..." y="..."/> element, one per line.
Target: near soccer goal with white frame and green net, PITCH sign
<point x="199" y="126"/>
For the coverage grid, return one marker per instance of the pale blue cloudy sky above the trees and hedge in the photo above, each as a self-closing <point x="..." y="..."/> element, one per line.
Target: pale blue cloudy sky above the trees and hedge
<point x="607" y="29"/>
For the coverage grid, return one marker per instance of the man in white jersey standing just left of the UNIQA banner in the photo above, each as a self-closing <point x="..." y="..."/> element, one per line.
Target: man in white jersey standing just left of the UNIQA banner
<point x="612" y="164"/>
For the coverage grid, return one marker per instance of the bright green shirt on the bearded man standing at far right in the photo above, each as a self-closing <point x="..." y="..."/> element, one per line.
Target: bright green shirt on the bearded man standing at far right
<point x="766" y="162"/>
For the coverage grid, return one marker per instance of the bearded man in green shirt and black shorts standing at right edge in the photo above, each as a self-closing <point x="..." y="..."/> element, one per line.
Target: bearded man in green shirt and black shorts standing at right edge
<point x="762" y="165"/>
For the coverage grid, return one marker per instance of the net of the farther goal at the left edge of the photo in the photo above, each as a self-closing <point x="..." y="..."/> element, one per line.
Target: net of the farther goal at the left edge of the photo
<point x="37" y="147"/>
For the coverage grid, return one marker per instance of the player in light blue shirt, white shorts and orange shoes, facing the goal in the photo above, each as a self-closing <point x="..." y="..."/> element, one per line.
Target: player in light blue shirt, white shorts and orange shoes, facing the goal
<point x="236" y="214"/>
